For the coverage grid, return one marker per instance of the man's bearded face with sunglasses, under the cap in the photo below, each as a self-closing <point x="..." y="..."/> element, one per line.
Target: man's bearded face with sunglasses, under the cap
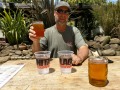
<point x="61" y="15"/>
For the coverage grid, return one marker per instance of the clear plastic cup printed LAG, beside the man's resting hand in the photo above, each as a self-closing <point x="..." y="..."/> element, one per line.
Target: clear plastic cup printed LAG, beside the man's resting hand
<point x="65" y="59"/>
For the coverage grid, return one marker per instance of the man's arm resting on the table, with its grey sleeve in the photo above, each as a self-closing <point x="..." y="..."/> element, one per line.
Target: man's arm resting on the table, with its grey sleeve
<point x="83" y="50"/>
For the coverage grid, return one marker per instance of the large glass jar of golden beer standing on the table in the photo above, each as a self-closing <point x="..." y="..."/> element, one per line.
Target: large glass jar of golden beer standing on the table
<point x="97" y="71"/>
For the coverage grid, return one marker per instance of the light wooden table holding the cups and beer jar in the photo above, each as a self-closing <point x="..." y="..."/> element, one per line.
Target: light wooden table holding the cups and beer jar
<point x="29" y="79"/>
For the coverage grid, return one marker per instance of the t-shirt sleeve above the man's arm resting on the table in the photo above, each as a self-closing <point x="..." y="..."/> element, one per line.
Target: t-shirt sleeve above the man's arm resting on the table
<point x="79" y="41"/>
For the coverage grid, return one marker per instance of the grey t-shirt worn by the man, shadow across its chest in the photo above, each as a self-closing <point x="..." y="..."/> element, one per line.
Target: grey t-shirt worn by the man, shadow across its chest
<point x="54" y="41"/>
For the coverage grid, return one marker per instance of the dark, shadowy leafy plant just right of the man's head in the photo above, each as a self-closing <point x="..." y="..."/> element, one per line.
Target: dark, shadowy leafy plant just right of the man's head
<point x="84" y="18"/>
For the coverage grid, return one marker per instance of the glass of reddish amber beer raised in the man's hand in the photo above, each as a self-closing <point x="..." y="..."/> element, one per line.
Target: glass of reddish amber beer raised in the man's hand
<point x="38" y="28"/>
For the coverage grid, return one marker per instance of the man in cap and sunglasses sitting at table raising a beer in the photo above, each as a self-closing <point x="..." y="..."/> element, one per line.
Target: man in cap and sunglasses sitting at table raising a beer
<point x="61" y="36"/>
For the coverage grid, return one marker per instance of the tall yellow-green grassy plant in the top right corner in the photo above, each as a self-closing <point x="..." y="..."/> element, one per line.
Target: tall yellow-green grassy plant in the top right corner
<point x="108" y="16"/>
